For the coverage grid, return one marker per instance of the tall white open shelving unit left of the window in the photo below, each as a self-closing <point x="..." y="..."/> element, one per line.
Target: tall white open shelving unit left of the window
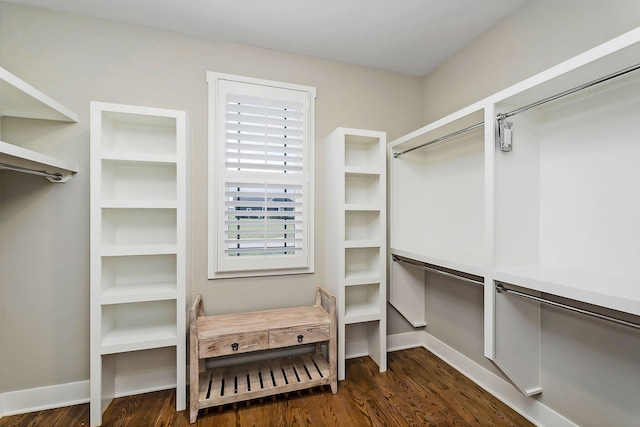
<point x="138" y="249"/>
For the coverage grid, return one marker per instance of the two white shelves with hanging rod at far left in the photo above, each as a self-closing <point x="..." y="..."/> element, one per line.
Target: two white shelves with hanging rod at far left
<point x="19" y="99"/>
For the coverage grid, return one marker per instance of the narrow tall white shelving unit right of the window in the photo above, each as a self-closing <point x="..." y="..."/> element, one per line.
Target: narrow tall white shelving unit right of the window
<point x="356" y="226"/>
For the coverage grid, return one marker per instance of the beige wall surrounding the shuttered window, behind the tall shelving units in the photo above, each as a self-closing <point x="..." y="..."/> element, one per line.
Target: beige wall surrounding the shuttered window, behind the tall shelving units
<point x="44" y="241"/>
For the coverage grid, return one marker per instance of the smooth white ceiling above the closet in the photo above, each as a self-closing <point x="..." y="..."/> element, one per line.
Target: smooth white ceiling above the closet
<point x="408" y="36"/>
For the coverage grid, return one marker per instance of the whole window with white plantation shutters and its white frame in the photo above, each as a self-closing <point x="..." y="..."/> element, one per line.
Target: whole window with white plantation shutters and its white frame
<point x="261" y="136"/>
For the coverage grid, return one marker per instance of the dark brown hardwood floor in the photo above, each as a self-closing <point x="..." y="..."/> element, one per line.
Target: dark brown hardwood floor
<point x="417" y="390"/>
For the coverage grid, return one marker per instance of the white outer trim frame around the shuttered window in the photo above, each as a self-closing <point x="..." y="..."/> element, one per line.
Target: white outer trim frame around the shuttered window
<point x="215" y="182"/>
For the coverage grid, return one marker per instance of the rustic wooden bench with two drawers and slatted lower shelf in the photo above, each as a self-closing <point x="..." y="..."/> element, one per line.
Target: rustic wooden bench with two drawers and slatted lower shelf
<point x="230" y="334"/>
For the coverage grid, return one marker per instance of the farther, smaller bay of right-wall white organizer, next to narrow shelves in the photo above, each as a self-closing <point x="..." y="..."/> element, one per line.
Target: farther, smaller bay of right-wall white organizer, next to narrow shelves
<point x="436" y="207"/>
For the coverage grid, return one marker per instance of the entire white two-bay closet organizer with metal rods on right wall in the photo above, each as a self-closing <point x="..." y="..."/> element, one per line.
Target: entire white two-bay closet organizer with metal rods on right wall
<point x="556" y="216"/>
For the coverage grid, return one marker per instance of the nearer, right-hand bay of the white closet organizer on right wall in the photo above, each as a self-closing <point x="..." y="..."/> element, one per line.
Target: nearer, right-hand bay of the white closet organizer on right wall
<point x="566" y="206"/>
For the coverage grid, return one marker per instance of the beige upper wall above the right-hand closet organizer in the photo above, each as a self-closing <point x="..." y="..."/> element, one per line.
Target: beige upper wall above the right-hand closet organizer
<point x="537" y="36"/>
